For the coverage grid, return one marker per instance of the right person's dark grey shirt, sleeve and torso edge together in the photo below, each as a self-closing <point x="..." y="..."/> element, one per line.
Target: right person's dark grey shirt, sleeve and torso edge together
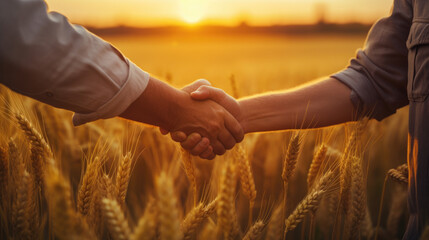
<point x="393" y="71"/>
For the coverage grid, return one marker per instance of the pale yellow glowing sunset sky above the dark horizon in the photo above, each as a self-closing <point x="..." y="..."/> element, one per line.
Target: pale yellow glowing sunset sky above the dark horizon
<point x="103" y="13"/>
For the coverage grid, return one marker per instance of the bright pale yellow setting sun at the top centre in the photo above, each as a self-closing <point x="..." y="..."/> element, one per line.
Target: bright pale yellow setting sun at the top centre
<point x="192" y="11"/>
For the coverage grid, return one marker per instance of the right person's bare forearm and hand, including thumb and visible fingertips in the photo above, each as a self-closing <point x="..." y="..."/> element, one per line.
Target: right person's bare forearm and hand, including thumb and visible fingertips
<point x="318" y="104"/>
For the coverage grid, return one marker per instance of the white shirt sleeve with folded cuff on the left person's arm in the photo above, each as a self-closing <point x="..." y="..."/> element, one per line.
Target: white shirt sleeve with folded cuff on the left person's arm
<point x="45" y="57"/>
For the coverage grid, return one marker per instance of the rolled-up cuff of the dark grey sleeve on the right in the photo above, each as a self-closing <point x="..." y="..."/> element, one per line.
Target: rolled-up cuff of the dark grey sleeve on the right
<point x="363" y="96"/>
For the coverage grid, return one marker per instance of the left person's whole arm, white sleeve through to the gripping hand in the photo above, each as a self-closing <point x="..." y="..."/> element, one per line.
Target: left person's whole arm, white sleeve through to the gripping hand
<point x="44" y="56"/>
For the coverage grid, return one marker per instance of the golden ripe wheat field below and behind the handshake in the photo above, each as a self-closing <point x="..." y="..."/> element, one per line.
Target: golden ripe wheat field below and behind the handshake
<point x="114" y="179"/>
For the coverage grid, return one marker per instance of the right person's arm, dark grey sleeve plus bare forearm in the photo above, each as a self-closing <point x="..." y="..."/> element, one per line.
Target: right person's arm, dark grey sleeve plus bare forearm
<point x="376" y="79"/>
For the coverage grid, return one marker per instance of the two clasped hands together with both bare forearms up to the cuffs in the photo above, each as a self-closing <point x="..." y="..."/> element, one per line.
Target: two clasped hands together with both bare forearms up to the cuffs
<point x="207" y="121"/>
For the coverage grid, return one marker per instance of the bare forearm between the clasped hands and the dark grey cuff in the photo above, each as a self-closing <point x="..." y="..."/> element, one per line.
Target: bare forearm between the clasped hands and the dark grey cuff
<point x="315" y="105"/>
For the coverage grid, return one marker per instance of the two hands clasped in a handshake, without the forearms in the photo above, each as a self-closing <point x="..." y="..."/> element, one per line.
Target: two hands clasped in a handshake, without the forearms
<point x="208" y="121"/>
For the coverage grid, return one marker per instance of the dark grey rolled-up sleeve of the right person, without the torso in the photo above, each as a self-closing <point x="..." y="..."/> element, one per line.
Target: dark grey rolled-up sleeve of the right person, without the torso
<point x="378" y="73"/>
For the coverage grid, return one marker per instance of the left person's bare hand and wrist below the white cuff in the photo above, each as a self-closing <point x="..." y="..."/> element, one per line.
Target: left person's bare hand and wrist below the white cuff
<point x="174" y="110"/>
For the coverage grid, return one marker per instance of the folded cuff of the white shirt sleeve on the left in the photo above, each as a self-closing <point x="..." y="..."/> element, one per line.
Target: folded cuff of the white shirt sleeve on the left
<point x="134" y="86"/>
